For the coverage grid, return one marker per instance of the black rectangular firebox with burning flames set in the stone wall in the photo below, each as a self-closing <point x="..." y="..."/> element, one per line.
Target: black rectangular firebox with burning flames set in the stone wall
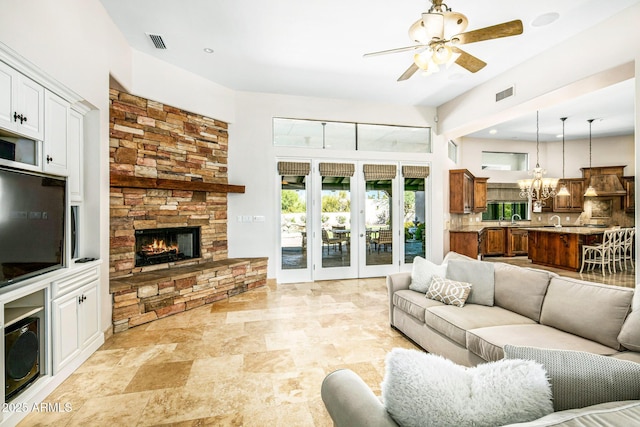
<point x="162" y="245"/>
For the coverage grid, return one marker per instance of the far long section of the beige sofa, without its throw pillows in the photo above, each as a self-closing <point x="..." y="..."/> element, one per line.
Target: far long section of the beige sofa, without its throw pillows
<point x="531" y="308"/>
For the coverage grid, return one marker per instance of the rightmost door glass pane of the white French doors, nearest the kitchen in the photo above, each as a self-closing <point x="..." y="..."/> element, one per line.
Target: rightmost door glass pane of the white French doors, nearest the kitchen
<point x="414" y="220"/>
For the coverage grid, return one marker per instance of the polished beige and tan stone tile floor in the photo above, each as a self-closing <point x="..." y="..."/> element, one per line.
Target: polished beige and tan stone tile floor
<point x="257" y="359"/>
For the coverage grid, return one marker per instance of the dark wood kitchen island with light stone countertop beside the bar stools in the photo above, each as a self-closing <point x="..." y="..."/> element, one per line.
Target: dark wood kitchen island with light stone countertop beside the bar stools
<point x="561" y="247"/>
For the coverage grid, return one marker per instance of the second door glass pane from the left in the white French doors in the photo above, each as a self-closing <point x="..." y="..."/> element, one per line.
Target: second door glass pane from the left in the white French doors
<point x="336" y="221"/>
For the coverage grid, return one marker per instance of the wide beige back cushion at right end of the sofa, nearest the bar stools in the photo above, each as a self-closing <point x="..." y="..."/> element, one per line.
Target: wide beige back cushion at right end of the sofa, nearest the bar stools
<point x="587" y="309"/>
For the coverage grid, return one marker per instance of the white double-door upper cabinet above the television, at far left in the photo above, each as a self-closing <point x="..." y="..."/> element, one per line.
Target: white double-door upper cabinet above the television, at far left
<point x="21" y="104"/>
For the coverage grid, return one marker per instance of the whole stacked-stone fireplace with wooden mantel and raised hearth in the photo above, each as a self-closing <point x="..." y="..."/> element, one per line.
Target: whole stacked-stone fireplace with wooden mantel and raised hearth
<point x="168" y="207"/>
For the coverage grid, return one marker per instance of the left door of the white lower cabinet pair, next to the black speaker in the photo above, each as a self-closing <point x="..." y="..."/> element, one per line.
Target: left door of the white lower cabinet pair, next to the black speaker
<point x="66" y="337"/>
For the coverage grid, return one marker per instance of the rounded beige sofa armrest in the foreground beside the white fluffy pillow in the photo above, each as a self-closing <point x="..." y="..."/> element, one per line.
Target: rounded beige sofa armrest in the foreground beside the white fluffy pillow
<point x="351" y="403"/>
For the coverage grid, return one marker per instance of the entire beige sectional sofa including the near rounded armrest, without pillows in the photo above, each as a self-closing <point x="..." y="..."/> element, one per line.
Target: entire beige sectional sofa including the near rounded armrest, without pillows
<point x="529" y="308"/>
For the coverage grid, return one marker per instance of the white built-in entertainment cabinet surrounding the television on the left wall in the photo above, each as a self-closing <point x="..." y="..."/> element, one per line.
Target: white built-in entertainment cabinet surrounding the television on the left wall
<point x="46" y="121"/>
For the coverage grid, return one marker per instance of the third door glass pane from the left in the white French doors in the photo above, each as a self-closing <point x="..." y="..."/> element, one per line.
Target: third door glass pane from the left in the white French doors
<point x="378" y="222"/>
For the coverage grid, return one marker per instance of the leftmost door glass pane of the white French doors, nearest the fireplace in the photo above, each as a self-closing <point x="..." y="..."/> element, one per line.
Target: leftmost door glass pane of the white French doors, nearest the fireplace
<point x="293" y="222"/>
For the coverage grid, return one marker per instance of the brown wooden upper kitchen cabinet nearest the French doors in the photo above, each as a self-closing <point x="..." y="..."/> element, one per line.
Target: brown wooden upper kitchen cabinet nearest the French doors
<point x="467" y="193"/>
